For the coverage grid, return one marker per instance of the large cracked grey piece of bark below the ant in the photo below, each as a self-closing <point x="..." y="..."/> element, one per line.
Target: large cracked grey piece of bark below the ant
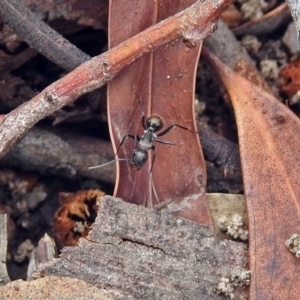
<point x="147" y="254"/>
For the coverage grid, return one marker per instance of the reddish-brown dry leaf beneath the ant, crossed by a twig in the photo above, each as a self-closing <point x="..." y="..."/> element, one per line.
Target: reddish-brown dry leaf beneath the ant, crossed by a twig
<point x="164" y="83"/>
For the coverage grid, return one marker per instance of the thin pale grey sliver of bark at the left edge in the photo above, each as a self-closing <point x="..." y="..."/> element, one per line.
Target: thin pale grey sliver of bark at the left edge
<point x="4" y="278"/>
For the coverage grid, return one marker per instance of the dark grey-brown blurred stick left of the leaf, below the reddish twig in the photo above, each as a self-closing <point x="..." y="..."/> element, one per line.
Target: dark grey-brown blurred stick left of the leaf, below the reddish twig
<point x="66" y="155"/>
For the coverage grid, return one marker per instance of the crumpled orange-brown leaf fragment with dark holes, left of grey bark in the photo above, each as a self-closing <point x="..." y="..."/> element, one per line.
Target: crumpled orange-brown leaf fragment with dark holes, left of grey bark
<point x="75" y="216"/>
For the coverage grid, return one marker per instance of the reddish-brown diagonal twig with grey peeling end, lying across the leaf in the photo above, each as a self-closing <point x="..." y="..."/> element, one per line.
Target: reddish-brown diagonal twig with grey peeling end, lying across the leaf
<point x="192" y="24"/>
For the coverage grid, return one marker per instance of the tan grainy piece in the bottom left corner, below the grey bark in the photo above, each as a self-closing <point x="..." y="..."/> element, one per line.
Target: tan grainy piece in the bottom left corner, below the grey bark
<point x="53" y="288"/>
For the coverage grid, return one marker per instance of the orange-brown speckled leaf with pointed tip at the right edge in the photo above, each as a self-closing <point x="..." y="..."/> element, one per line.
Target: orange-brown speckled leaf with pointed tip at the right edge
<point x="269" y="139"/>
